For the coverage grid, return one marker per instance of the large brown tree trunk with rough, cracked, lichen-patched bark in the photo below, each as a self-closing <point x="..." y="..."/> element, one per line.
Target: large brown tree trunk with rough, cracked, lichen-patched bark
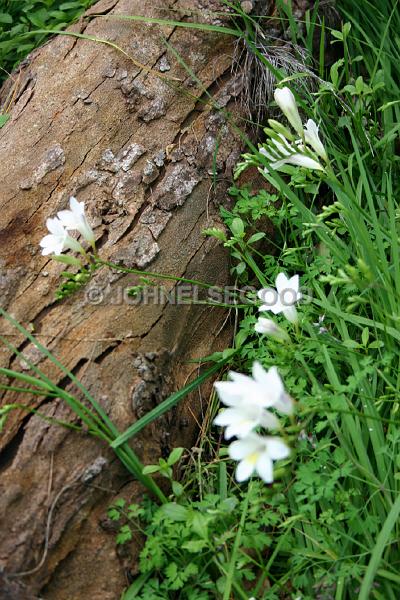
<point x="89" y="122"/>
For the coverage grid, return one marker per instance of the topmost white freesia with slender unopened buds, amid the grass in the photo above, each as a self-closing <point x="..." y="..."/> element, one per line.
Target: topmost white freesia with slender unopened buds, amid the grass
<point x="283" y="147"/>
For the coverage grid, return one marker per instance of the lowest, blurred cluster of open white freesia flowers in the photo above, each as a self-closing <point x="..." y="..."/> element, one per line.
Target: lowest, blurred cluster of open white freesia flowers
<point x="249" y="400"/>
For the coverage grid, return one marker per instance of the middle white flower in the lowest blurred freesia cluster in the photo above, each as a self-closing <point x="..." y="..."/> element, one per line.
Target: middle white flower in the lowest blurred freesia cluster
<point x="242" y="420"/>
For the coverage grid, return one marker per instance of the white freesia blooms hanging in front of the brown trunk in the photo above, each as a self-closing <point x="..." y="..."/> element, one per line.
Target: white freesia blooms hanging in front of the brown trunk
<point x="59" y="239"/>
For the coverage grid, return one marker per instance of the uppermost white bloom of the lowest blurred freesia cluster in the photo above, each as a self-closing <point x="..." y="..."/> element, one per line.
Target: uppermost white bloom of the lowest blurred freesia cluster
<point x="264" y="390"/>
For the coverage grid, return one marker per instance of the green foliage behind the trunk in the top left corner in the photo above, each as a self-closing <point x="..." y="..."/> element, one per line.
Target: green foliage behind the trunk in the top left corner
<point x="18" y="18"/>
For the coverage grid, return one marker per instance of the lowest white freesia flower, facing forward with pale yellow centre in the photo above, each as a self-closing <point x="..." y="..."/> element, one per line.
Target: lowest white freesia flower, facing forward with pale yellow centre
<point x="256" y="454"/>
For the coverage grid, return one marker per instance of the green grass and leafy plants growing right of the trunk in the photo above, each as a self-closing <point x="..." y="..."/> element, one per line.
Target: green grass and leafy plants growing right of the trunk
<point x="331" y="528"/>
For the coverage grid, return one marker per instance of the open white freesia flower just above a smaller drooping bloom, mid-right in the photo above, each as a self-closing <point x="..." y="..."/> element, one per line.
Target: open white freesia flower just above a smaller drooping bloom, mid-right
<point x="283" y="299"/>
